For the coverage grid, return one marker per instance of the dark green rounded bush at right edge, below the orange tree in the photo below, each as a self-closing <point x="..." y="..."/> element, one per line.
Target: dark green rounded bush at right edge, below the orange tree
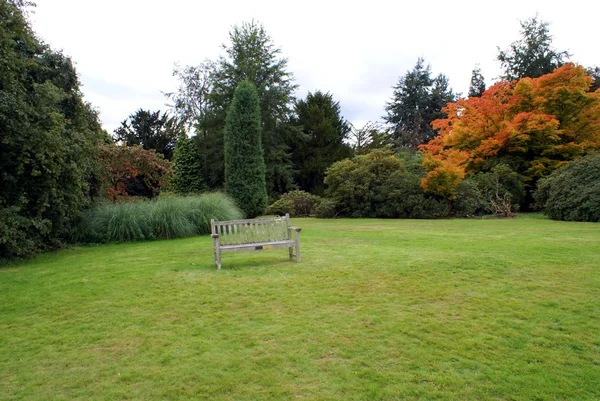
<point x="572" y="192"/>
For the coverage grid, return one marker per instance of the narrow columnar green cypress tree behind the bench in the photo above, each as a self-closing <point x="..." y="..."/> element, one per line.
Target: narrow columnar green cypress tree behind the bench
<point x="244" y="159"/>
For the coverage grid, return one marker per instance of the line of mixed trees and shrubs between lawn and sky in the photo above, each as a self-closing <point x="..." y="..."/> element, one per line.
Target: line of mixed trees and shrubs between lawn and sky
<point x="430" y="151"/>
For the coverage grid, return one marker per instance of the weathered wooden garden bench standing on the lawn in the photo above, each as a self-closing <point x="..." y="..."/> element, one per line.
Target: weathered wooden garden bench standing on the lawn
<point x="254" y="235"/>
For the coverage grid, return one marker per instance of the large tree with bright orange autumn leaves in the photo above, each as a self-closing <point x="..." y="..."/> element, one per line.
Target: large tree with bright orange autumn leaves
<point x="532" y="125"/>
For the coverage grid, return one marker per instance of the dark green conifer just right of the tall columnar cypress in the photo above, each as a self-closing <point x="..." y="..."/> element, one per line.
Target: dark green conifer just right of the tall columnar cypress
<point x="323" y="141"/>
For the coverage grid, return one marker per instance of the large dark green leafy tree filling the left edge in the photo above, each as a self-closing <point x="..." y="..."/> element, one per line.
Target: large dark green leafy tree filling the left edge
<point x="48" y="141"/>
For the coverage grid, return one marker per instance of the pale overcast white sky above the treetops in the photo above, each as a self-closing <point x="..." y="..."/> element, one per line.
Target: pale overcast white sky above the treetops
<point x="124" y="50"/>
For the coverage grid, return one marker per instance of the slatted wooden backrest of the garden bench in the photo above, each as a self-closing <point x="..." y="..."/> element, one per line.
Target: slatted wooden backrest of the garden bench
<point x="237" y="232"/>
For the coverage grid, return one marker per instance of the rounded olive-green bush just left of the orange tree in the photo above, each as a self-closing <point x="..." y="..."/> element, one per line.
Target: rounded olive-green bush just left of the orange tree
<point x="381" y="184"/>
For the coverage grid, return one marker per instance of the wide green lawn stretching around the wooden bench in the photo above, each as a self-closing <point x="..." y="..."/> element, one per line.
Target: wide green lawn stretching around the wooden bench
<point x="377" y="310"/>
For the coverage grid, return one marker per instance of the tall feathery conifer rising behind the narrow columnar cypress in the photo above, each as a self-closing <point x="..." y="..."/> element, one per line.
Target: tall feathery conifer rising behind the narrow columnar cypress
<point x="251" y="55"/>
